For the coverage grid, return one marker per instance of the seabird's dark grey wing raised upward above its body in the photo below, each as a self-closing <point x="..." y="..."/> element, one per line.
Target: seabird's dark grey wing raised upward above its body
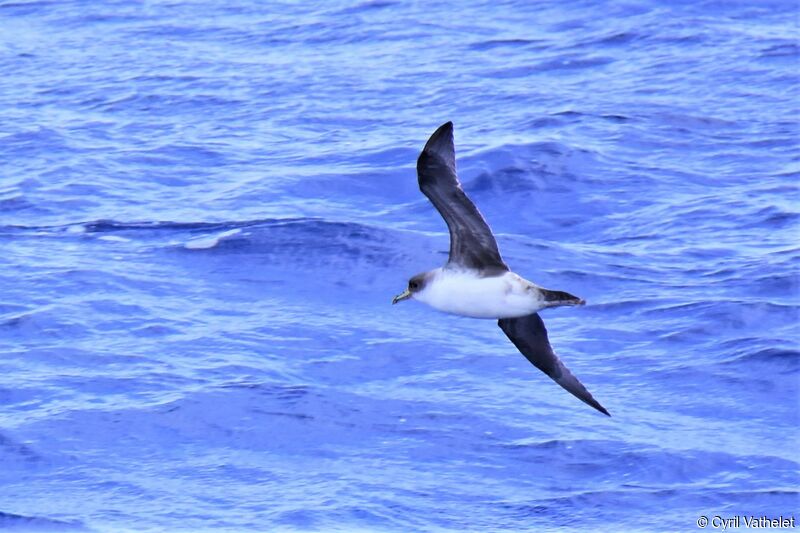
<point x="472" y="244"/>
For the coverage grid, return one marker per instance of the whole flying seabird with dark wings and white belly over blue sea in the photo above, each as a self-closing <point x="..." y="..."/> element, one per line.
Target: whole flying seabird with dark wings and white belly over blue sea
<point x="475" y="282"/>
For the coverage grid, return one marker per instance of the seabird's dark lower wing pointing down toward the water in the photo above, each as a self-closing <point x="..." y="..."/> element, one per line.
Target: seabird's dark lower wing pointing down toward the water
<point x="530" y="337"/>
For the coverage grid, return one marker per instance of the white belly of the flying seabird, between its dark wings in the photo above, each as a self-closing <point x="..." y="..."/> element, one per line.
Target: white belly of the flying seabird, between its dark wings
<point x="460" y="293"/>
